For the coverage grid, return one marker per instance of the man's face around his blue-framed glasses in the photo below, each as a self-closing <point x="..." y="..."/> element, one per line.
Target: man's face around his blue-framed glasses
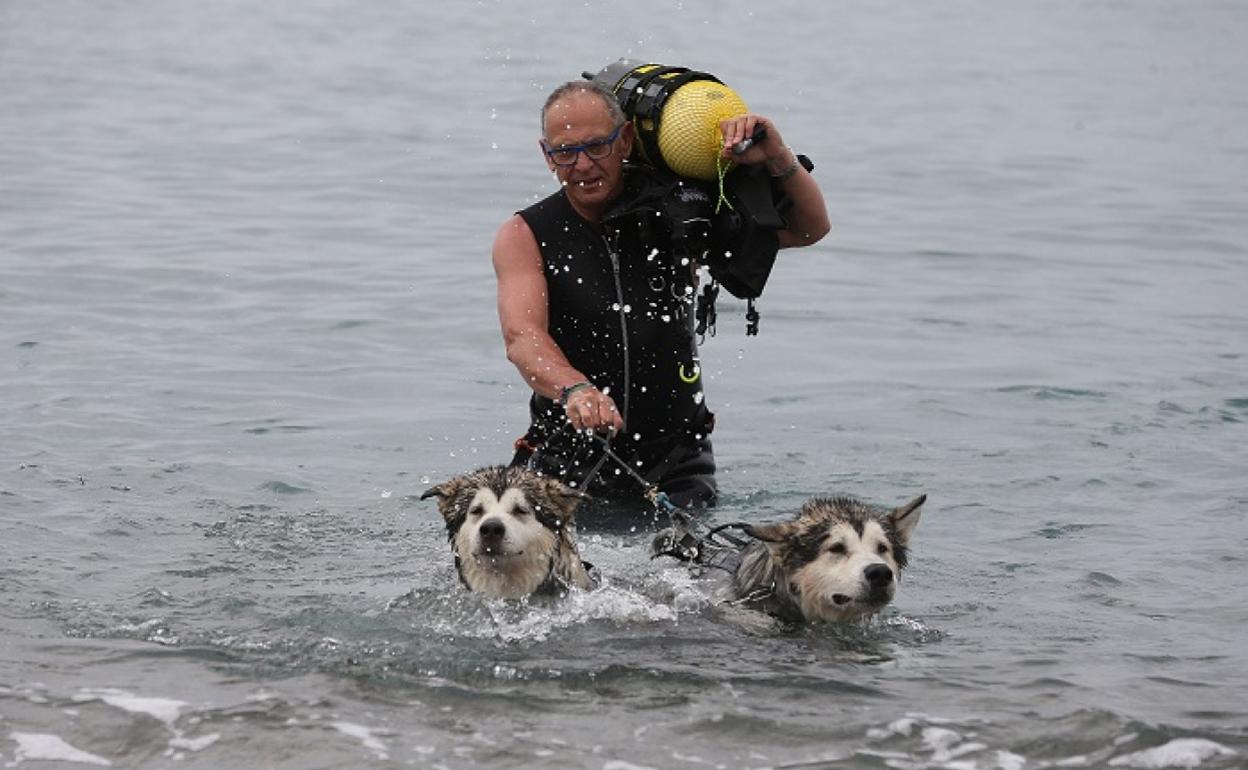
<point x="578" y="119"/>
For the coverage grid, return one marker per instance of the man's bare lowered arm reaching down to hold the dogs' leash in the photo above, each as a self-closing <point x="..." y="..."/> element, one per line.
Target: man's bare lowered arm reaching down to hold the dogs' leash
<point x="524" y="314"/>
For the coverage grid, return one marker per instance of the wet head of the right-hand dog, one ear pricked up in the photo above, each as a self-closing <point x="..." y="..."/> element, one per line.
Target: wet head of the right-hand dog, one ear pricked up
<point x="841" y="558"/>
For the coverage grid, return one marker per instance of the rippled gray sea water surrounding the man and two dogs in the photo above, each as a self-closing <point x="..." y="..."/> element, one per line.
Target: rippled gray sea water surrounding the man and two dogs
<point x="248" y="316"/>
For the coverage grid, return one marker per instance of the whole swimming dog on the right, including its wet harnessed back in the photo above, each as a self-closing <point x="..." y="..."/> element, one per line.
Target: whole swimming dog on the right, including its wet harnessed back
<point x="838" y="560"/>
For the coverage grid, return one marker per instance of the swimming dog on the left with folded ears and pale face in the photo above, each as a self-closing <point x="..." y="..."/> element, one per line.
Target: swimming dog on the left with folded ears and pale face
<point x="512" y="532"/>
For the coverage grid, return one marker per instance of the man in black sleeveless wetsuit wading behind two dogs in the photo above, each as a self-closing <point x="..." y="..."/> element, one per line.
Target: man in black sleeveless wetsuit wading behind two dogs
<point x="597" y="311"/>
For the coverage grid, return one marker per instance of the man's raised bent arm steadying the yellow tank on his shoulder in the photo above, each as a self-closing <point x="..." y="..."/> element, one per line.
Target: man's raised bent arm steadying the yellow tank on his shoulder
<point x="808" y="217"/>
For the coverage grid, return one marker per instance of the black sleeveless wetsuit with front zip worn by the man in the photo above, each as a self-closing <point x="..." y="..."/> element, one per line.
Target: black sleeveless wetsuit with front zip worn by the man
<point x="621" y="309"/>
